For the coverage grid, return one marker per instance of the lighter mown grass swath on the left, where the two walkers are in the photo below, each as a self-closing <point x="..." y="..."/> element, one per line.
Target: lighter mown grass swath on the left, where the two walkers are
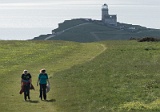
<point x="54" y="56"/>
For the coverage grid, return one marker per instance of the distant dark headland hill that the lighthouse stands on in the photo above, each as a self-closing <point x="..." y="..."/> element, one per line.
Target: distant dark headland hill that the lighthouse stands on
<point x="87" y="30"/>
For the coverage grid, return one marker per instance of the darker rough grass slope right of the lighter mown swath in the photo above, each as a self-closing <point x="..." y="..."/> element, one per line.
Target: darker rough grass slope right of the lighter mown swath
<point x="124" y="78"/>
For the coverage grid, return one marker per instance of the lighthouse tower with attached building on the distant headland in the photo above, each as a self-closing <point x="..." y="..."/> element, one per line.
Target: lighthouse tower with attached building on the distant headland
<point x="106" y="18"/>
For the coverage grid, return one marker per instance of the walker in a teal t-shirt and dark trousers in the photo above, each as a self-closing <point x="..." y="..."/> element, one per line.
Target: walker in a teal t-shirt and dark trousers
<point x="43" y="81"/>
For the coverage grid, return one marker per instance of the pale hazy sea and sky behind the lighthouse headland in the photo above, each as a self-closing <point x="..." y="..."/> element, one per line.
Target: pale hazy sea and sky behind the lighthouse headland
<point x="47" y="14"/>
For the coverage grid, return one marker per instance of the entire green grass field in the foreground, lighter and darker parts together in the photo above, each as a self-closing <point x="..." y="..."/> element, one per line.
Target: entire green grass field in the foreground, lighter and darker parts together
<point x="109" y="76"/>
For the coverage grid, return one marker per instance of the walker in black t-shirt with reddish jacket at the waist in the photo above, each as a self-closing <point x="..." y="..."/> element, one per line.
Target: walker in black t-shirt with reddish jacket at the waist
<point x="26" y="83"/>
